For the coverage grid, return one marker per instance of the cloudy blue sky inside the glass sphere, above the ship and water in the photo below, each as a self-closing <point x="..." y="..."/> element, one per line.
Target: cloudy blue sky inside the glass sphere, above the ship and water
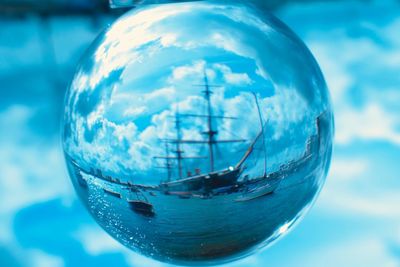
<point x="133" y="80"/>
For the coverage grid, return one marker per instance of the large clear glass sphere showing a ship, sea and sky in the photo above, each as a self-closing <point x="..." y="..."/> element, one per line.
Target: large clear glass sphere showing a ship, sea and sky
<point x="197" y="133"/>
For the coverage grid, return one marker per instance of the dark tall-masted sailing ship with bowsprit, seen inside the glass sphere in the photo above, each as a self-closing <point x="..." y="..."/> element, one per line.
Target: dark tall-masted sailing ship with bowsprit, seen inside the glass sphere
<point x="204" y="183"/>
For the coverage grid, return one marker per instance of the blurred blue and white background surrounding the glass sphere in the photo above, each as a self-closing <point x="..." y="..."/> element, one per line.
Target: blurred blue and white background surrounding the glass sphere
<point x="355" y="221"/>
